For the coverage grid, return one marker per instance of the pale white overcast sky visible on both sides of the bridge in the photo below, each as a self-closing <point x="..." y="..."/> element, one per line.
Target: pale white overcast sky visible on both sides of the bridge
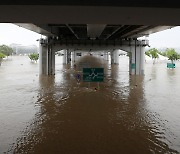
<point x="10" y="33"/>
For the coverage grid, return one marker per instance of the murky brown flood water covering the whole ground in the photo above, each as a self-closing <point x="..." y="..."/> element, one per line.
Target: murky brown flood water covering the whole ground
<point x="58" y="114"/>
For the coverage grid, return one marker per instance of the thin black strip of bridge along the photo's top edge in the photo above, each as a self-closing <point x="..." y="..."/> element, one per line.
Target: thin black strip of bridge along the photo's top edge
<point x="127" y="3"/>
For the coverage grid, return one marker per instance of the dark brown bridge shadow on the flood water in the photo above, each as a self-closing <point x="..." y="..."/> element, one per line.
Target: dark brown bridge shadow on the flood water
<point x="77" y="117"/>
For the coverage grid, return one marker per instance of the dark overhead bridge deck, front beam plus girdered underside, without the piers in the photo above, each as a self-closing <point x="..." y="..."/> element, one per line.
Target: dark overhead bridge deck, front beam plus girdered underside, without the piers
<point x="110" y="20"/>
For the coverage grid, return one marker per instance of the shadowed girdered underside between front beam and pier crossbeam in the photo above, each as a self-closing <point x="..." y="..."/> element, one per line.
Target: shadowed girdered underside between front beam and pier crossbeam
<point x="85" y="32"/>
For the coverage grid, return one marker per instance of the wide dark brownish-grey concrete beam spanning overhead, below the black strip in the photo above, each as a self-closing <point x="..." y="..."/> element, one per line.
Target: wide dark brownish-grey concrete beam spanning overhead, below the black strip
<point x="63" y="14"/>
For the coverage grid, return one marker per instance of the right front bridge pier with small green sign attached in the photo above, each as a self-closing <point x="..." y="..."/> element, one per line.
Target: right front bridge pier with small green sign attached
<point x="136" y="62"/>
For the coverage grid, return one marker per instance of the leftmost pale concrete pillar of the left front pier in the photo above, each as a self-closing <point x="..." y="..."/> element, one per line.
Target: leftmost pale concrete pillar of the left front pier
<point x="43" y="58"/>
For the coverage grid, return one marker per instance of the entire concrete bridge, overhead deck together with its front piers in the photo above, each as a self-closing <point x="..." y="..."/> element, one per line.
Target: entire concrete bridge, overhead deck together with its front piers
<point x="103" y="25"/>
